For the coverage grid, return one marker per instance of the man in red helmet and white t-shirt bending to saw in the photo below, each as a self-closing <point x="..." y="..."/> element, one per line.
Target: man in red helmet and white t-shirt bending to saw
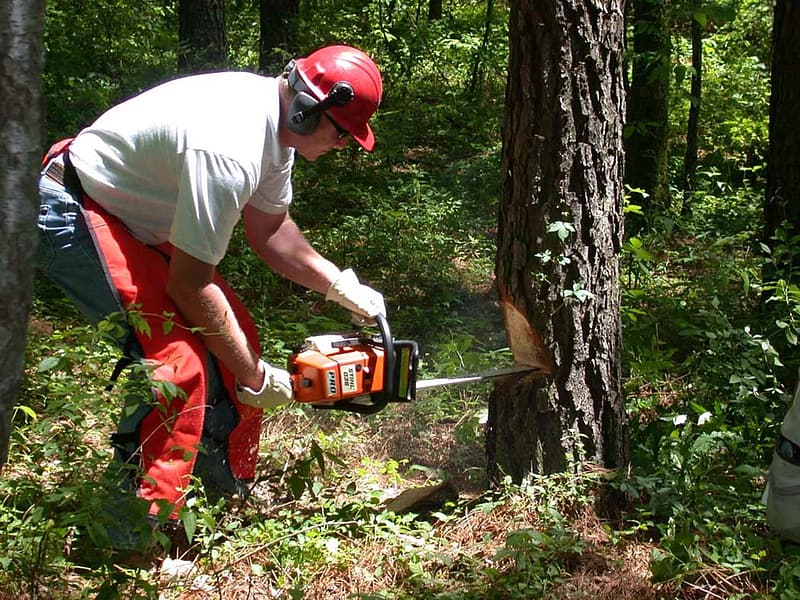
<point x="138" y="210"/>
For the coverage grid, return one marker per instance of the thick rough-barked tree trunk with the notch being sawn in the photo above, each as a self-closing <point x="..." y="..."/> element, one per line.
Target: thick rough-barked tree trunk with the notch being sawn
<point x="560" y="234"/>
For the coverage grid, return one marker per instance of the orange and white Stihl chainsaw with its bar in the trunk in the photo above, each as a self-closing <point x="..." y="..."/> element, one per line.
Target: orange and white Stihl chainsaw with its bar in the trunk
<point x="363" y="373"/>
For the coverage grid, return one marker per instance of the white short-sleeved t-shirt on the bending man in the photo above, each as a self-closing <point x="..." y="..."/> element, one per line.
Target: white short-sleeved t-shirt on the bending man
<point x="180" y="161"/>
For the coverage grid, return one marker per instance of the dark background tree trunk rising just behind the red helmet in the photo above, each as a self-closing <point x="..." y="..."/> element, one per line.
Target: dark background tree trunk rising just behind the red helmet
<point x="278" y="34"/>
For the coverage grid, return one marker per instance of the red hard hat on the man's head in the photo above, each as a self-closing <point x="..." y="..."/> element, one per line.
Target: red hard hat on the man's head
<point x="323" y="69"/>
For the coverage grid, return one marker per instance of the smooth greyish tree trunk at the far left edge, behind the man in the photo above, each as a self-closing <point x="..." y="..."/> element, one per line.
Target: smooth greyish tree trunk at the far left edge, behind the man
<point x="21" y="132"/>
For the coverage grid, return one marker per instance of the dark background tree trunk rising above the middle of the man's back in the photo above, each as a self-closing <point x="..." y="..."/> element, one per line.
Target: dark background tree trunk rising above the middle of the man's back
<point x="202" y="45"/>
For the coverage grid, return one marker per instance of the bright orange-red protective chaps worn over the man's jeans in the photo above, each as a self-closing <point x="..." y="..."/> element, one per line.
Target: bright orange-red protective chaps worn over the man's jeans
<point x="170" y="435"/>
